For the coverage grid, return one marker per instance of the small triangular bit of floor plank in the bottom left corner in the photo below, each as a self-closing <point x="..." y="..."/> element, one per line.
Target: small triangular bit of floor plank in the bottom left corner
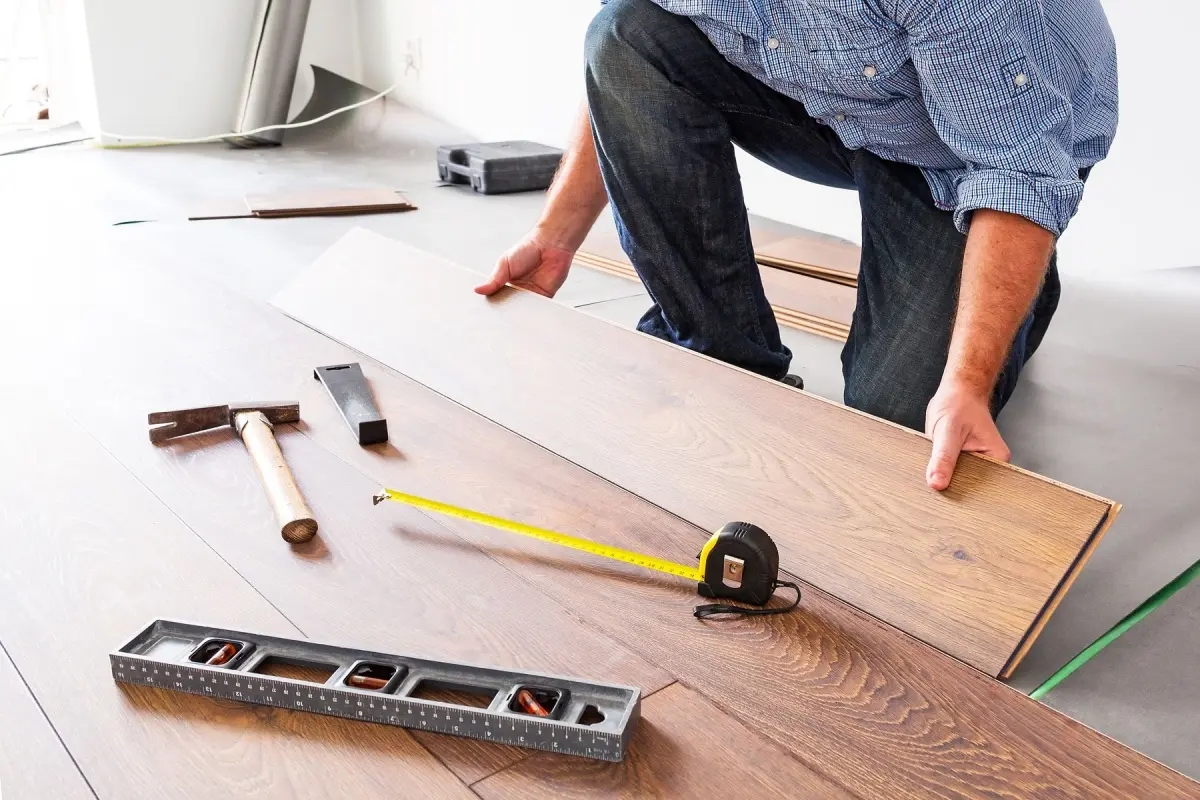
<point x="33" y="761"/>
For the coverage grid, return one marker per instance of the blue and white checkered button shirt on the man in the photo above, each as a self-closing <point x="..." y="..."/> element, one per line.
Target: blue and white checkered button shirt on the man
<point x="1000" y="103"/>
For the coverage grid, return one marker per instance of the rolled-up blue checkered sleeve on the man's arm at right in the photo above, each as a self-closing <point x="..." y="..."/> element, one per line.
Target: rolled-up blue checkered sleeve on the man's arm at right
<point x="992" y="85"/>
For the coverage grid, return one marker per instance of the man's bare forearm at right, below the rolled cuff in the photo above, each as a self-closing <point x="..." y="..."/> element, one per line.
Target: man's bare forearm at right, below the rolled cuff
<point x="1006" y="258"/>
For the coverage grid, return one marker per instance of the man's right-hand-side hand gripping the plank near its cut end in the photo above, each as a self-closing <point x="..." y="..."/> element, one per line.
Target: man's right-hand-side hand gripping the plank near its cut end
<point x="959" y="420"/>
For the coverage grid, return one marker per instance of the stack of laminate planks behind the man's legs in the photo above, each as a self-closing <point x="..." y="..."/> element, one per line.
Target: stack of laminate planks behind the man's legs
<point x="806" y="275"/>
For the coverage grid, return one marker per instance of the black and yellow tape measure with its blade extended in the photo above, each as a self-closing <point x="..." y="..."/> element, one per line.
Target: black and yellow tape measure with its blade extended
<point x="740" y="562"/>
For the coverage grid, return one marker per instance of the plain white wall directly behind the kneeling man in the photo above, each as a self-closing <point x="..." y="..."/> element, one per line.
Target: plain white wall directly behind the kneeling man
<point x="513" y="69"/>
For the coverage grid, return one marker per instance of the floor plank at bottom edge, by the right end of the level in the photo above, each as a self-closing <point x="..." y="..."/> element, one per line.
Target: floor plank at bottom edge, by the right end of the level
<point x="685" y="748"/>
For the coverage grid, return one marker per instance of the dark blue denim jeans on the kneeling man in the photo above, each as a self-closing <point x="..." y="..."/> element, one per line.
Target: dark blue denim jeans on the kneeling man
<point x="667" y="111"/>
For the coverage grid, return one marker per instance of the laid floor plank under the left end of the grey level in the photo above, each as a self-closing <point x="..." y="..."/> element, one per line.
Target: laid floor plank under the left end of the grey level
<point x="89" y="557"/>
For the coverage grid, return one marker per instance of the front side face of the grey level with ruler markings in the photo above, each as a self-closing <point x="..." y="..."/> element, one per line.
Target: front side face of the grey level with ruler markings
<point x="406" y="713"/>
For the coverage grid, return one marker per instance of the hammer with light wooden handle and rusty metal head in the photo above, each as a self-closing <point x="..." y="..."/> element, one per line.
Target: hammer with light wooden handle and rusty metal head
<point x="255" y="424"/>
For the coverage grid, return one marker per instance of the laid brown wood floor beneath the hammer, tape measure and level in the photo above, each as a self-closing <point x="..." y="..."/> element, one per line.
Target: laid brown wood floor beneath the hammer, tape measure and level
<point x="103" y="532"/>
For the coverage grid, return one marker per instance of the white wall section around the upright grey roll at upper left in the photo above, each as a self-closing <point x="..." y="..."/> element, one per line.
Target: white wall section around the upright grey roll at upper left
<point x="175" y="68"/>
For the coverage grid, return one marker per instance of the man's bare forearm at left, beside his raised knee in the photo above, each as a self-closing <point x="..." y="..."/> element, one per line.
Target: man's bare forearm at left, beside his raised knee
<point x="578" y="196"/>
